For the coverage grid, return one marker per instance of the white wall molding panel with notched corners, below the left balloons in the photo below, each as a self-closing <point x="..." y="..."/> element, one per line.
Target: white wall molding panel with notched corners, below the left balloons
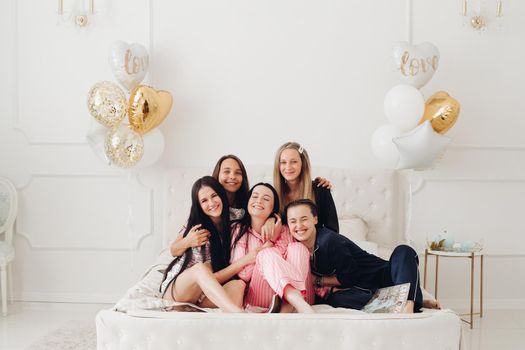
<point x="79" y="204"/>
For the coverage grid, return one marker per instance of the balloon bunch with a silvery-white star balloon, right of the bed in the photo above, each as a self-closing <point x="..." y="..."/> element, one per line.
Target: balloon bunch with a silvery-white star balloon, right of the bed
<point x="414" y="137"/>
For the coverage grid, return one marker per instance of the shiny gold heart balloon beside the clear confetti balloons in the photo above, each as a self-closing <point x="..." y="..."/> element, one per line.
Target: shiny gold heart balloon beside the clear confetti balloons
<point x="148" y="108"/>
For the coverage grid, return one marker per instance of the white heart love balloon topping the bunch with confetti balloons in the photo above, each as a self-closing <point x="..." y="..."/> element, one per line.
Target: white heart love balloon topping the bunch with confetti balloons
<point x="129" y="63"/>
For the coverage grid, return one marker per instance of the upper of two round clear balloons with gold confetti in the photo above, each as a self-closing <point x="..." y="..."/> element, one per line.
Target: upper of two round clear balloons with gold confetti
<point x="107" y="103"/>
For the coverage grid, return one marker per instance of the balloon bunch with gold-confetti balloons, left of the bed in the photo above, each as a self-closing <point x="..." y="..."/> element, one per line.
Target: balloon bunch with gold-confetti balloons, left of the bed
<point x="137" y="141"/>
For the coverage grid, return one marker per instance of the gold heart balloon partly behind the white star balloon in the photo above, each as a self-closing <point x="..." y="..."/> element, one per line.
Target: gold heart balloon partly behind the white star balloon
<point x="442" y="111"/>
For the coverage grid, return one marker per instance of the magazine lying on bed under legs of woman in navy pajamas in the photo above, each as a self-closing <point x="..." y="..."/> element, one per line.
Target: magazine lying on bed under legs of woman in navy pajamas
<point x="388" y="300"/>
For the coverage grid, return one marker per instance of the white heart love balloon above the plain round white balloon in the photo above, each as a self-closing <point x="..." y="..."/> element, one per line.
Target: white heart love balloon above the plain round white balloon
<point x="416" y="63"/>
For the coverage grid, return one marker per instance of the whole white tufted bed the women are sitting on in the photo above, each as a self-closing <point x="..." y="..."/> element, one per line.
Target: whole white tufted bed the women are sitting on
<point x="370" y="203"/>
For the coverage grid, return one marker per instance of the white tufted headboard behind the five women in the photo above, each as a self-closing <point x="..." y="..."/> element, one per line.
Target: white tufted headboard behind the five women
<point x="372" y="194"/>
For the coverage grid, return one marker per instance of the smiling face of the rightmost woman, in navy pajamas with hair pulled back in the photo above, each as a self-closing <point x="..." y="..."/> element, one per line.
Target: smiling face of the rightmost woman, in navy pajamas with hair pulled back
<point x="302" y="223"/>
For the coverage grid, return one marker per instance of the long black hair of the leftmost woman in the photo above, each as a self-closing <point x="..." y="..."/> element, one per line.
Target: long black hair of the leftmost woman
<point x="220" y="237"/>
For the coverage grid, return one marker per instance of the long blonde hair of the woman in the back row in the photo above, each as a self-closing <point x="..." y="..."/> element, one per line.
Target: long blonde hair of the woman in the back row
<point x="305" y="177"/>
